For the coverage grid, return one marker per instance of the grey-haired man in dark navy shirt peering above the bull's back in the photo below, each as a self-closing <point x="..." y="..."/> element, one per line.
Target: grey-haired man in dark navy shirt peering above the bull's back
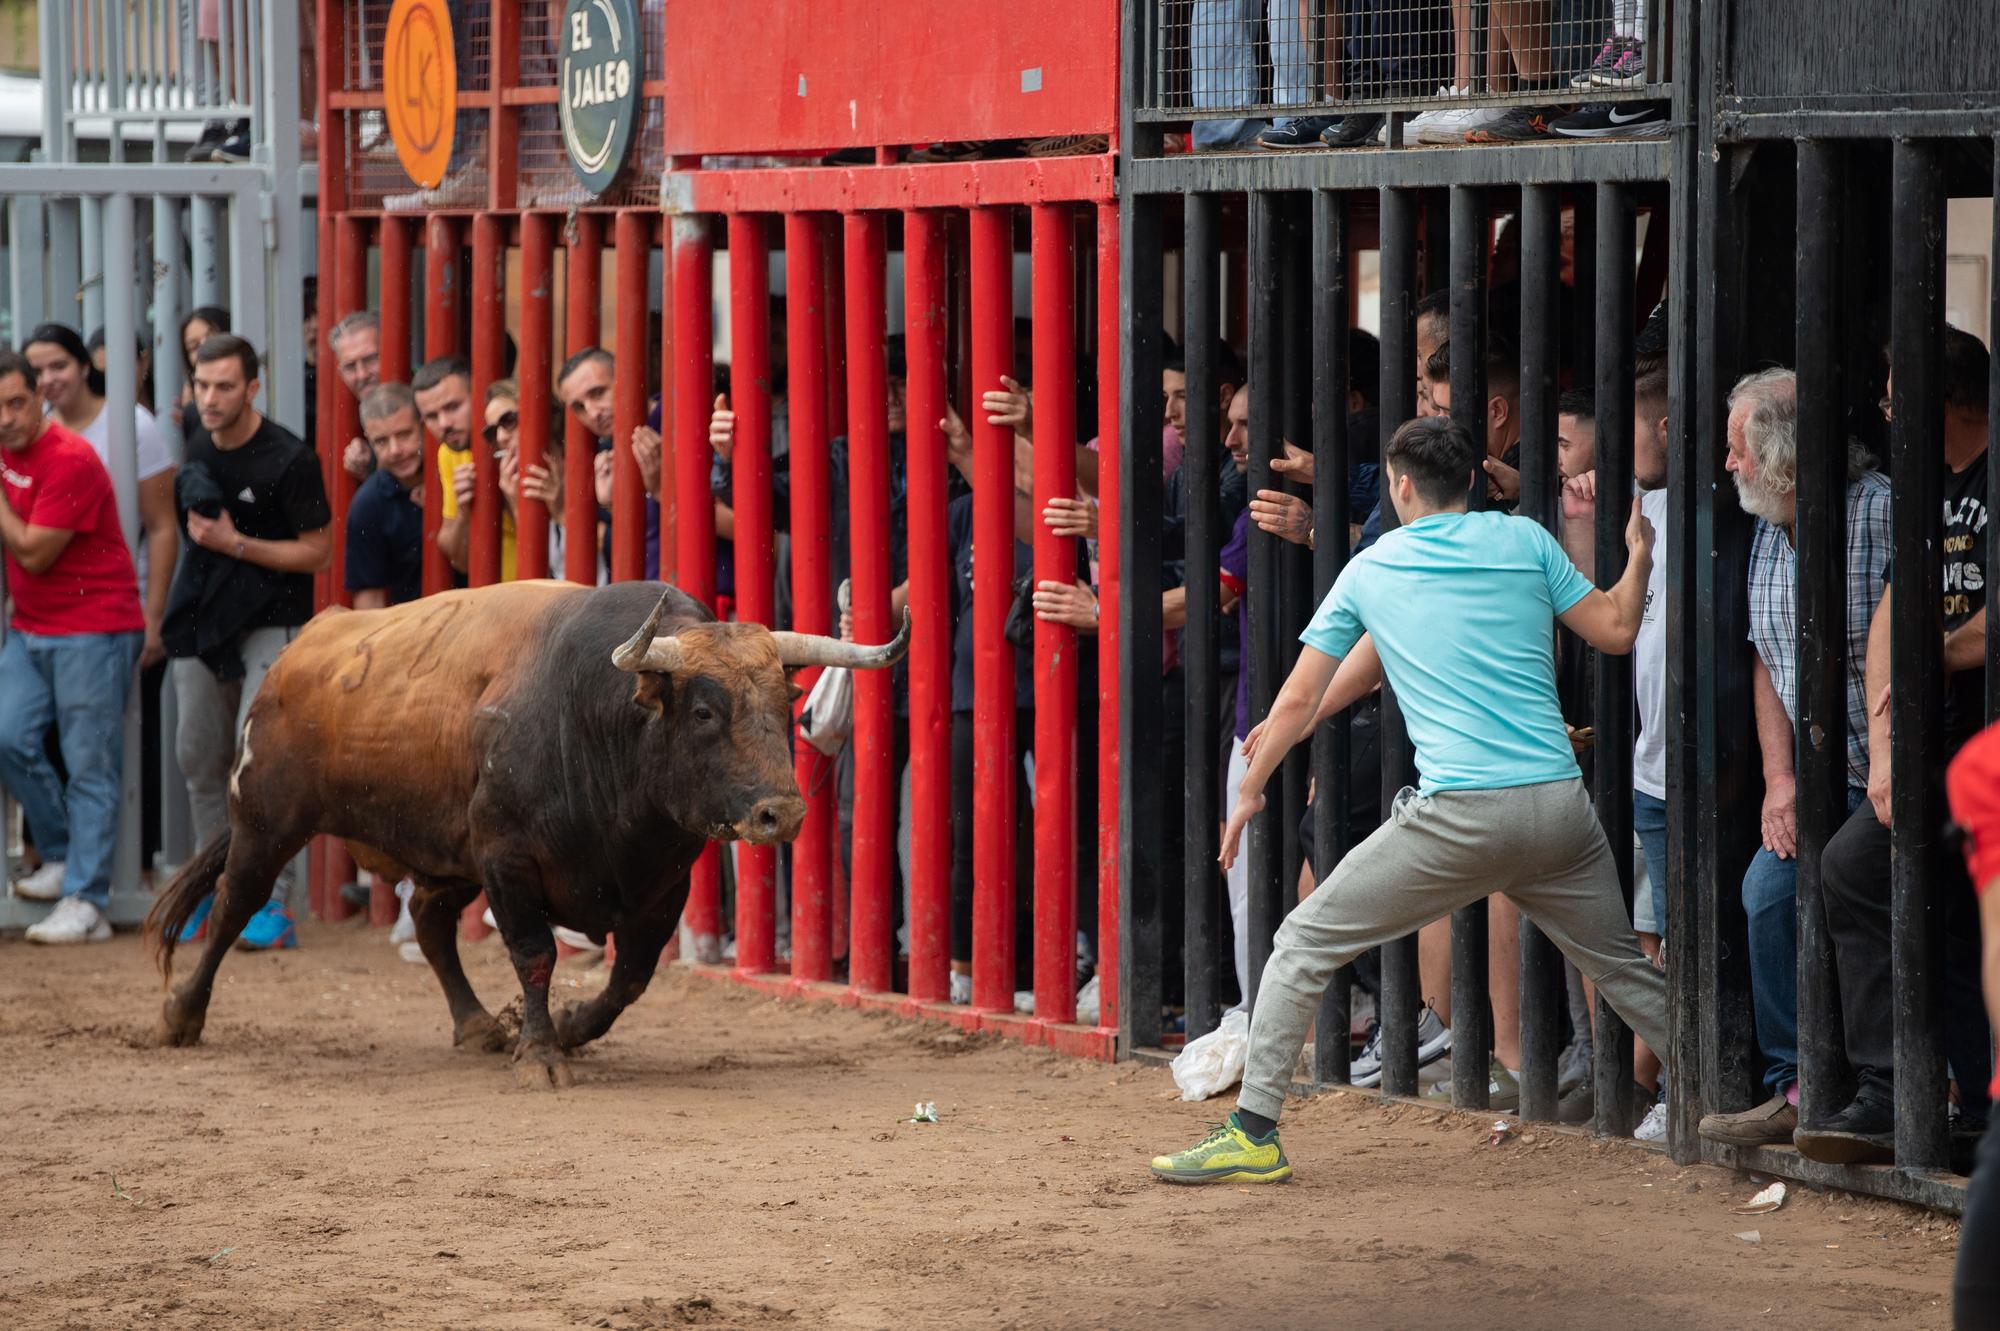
<point x="385" y="563"/>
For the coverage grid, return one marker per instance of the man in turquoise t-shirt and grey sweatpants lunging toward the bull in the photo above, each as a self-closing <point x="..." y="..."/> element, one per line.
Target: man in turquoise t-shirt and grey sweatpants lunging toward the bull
<point x="1459" y="611"/>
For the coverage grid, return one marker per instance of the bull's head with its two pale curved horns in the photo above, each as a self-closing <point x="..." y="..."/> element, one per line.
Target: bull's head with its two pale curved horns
<point x="725" y="692"/>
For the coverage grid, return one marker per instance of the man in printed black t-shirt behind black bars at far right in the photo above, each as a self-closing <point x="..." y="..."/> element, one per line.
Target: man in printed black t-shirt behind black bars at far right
<point x="1855" y="868"/>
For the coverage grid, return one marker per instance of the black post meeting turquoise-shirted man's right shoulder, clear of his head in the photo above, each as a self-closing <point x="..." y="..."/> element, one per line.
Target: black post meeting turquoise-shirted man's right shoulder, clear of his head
<point x="1541" y="279"/>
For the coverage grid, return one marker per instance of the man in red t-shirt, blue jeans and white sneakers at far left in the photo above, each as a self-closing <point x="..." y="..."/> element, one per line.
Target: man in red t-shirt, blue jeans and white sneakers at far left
<point x="73" y="639"/>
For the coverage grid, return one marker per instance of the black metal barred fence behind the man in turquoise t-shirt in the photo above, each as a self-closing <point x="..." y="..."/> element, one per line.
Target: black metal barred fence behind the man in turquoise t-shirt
<point x="1765" y="249"/>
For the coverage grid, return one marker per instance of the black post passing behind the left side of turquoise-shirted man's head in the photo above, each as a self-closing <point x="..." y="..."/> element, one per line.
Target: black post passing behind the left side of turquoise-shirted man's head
<point x="1401" y="988"/>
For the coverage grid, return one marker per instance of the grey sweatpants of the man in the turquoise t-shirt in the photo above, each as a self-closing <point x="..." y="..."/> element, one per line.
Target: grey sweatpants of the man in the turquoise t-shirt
<point x="1537" y="844"/>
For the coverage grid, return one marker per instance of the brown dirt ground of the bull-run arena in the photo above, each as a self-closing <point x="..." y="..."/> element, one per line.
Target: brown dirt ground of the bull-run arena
<point x="727" y="1160"/>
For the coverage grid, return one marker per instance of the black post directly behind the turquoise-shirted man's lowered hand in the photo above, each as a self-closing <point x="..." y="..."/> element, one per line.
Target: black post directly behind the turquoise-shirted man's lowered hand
<point x="1261" y="599"/>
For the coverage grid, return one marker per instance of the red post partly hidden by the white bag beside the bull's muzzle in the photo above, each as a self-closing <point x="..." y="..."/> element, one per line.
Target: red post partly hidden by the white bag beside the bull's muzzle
<point x="813" y="589"/>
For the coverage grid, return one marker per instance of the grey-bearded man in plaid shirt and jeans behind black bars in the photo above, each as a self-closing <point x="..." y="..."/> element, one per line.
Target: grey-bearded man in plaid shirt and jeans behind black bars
<point x="1763" y="455"/>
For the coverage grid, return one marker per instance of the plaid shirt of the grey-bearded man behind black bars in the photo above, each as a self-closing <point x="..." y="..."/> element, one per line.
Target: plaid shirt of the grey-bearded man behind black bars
<point x="1775" y="609"/>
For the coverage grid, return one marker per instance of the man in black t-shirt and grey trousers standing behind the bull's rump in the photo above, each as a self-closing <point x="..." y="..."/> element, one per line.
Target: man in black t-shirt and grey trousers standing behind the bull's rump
<point x="255" y="513"/>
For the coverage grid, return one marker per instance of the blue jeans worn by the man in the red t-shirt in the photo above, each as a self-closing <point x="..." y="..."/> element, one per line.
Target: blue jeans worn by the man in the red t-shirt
<point x="77" y="682"/>
